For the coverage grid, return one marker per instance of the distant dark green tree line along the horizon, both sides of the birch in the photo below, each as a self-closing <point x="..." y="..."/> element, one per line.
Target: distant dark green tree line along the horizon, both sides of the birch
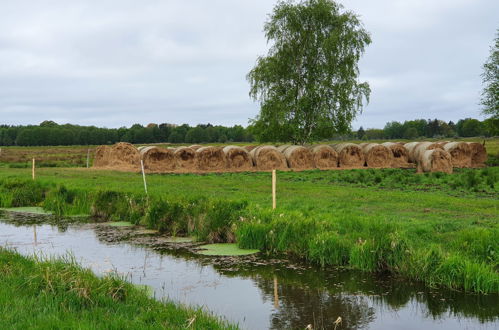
<point x="51" y="133"/>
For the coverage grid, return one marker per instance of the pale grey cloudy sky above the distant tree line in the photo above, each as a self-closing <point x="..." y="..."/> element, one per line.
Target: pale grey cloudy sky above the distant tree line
<point x="118" y="62"/>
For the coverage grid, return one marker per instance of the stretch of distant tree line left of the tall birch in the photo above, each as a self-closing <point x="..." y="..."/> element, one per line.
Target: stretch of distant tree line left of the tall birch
<point x="50" y="133"/>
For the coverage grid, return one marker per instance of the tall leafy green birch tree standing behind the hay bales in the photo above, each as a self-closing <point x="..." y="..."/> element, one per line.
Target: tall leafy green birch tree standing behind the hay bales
<point x="308" y="84"/>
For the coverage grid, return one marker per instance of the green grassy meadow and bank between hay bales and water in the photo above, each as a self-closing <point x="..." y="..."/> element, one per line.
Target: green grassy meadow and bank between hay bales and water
<point x="437" y="228"/>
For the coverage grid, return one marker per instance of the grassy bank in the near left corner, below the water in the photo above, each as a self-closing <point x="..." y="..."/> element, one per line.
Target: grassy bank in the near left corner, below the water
<point x="58" y="294"/>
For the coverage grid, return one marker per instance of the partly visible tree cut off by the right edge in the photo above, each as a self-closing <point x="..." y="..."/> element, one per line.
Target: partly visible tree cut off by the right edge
<point x="490" y="78"/>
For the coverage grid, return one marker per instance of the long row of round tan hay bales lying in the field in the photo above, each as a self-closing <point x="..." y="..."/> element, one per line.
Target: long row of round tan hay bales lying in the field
<point x="427" y="156"/>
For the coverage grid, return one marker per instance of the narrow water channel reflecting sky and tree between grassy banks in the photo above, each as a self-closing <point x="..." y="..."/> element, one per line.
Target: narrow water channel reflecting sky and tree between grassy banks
<point x="261" y="293"/>
